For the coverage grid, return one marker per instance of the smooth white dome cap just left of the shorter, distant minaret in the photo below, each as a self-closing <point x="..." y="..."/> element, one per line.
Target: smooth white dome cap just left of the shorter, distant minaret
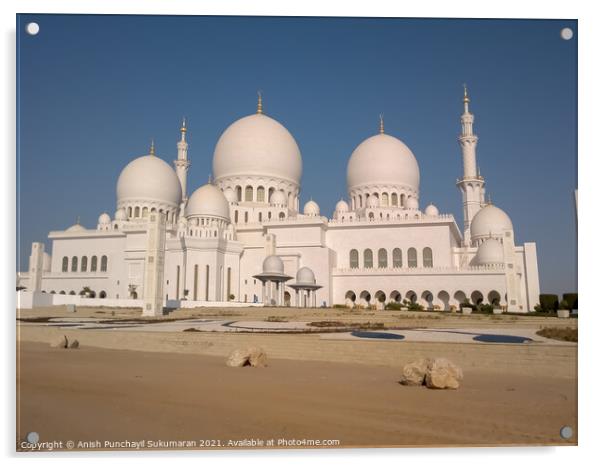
<point x="149" y="178"/>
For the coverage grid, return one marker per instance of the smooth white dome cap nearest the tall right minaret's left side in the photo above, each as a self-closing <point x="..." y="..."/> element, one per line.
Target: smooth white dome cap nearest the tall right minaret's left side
<point x="383" y="160"/>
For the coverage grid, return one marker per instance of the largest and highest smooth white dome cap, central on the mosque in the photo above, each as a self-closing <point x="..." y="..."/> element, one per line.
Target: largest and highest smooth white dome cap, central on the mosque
<point x="257" y="145"/>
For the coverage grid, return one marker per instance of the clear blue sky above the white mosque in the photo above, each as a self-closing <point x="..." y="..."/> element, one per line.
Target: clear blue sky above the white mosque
<point x="93" y="91"/>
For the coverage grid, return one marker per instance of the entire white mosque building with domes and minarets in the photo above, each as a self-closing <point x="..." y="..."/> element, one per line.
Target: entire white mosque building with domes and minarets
<point x="242" y="239"/>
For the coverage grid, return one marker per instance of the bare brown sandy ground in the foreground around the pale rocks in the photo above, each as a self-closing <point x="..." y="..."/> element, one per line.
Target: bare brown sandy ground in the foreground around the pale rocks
<point x="100" y="394"/>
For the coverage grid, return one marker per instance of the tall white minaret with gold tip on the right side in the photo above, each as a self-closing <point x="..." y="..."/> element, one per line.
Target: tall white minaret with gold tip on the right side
<point x="472" y="184"/>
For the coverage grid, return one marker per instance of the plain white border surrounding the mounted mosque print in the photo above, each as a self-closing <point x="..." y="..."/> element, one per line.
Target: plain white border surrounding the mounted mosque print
<point x="590" y="80"/>
